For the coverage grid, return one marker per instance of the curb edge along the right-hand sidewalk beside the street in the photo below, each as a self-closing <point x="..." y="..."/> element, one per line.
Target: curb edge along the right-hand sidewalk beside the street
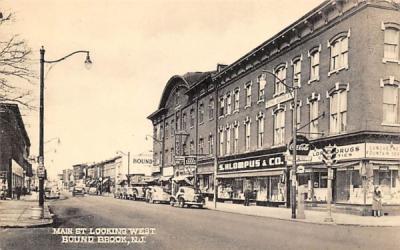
<point x="303" y="221"/>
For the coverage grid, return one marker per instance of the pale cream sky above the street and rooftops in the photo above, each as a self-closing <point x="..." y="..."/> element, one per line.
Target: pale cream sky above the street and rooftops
<point x="135" y="46"/>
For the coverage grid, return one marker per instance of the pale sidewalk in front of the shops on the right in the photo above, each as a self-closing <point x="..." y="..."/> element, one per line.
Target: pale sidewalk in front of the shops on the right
<point x="316" y="217"/>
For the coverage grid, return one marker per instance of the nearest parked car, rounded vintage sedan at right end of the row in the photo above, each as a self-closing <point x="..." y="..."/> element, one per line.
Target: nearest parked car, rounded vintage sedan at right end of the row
<point x="188" y="196"/>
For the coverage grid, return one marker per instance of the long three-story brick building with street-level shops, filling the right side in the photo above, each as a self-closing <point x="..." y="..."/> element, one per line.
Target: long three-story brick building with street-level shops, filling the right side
<point x="344" y="57"/>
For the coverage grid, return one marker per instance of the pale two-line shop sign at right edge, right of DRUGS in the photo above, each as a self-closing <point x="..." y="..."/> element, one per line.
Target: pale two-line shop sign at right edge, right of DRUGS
<point x="383" y="151"/>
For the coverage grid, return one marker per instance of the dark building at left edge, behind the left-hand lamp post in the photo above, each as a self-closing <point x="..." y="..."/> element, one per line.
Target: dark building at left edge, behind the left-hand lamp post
<point x="15" y="168"/>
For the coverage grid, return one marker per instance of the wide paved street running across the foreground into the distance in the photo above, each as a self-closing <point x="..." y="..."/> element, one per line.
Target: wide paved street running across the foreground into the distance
<point x="177" y="228"/>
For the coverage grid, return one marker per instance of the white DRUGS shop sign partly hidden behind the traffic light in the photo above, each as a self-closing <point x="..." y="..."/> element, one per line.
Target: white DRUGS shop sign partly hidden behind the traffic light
<point x="347" y="152"/>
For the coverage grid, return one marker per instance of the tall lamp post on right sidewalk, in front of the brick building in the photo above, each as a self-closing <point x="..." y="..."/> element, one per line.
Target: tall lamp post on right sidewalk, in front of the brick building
<point x="294" y="134"/>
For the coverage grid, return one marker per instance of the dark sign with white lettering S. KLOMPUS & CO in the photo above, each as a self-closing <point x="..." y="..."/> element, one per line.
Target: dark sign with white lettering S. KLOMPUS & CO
<point x="252" y="164"/>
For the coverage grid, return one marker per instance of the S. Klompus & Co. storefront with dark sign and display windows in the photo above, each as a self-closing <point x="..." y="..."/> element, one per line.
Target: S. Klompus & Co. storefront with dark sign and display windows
<point x="264" y="176"/>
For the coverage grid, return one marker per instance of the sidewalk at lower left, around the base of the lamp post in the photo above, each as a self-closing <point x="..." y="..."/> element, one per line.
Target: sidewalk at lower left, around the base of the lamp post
<point x="24" y="213"/>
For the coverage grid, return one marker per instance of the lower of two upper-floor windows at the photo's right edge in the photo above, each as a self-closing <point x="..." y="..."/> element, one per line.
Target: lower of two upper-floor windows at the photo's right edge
<point x="391" y="104"/>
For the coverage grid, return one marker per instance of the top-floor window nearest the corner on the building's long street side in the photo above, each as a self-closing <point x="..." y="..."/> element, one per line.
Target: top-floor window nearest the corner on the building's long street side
<point x="339" y="51"/>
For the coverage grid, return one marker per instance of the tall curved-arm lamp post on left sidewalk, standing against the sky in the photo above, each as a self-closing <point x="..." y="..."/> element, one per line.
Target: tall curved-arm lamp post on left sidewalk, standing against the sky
<point x="41" y="168"/>
